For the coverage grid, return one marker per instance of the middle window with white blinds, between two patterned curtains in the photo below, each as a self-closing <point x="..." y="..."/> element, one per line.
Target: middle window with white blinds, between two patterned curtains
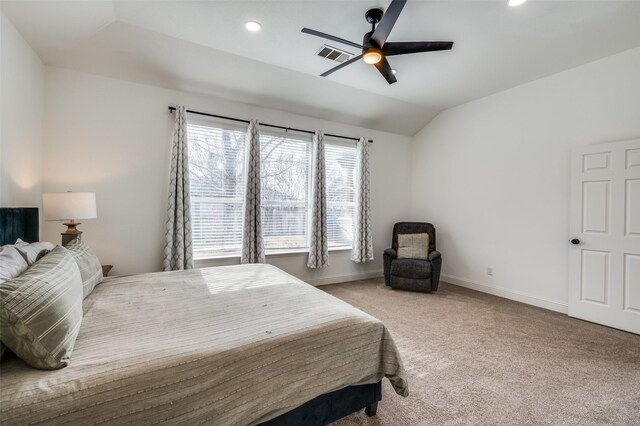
<point x="285" y="164"/>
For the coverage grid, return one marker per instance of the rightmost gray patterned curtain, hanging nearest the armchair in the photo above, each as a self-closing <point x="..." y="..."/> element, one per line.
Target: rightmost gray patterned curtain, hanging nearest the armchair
<point x="362" y="239"/>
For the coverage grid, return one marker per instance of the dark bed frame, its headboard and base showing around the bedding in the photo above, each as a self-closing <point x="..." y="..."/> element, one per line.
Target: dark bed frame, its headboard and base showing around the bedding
<point x="23" y="222"/>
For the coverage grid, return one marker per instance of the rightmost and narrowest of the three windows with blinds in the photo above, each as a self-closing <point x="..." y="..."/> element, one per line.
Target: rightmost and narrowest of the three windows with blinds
<point x="340" y="166"/>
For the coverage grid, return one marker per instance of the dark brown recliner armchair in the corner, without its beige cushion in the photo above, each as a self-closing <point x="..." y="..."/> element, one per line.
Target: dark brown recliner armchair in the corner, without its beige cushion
<point x="413" y="274"/>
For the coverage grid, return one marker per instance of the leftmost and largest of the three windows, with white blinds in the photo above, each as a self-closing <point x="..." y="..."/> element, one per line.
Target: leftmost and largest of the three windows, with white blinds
<point x="216" y="158"/>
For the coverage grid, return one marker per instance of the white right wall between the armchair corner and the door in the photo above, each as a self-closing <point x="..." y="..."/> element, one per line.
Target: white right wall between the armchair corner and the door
<point x="493" y="175"/>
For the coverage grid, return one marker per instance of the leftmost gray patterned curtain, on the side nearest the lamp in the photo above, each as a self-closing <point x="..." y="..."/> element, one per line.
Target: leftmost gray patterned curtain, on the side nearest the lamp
<point x="178" y="251"/>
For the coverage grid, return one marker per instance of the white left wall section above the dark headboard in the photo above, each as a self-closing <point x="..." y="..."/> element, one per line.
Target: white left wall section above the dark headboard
<point x="21" y="117"/>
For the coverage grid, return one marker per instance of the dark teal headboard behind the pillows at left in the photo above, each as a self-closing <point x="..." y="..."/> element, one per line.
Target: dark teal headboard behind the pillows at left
<point x="19" y="222"/>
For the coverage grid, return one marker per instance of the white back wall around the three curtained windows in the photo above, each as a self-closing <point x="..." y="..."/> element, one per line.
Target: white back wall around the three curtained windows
<point x="113" y="137"/>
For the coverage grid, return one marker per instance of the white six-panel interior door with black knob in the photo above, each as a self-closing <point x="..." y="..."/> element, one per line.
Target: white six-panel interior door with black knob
<point x="605" y="231"/>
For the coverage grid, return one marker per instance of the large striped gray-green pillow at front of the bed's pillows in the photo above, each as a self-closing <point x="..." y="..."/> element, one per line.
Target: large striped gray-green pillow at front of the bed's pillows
<point x="41" y="311"/>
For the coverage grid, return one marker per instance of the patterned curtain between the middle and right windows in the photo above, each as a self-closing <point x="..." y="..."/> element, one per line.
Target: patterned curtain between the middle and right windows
<point x="319" y="245"/>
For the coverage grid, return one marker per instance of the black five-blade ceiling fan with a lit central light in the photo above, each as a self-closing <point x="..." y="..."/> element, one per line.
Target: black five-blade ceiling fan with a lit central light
<point x="375" y="47"/>
